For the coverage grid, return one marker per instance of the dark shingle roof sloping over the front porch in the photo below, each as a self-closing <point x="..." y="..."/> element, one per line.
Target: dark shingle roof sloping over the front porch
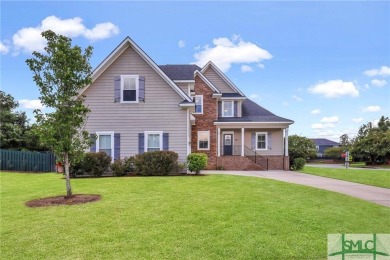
<point x="252" y="112"/>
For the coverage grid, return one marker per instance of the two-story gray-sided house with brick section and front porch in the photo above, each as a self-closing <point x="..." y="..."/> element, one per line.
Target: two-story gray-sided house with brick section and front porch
<point x="138" y="106"/>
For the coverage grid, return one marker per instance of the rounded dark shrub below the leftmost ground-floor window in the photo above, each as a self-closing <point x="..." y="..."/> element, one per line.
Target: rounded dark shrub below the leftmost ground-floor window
<point x="96" y="163"/>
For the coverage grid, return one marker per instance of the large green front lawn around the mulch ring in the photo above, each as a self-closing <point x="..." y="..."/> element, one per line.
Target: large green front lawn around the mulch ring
<point x="205" y="217"/>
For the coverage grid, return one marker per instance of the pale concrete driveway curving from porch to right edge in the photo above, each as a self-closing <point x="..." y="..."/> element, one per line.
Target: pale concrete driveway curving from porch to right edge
<point x="369" y="193"/>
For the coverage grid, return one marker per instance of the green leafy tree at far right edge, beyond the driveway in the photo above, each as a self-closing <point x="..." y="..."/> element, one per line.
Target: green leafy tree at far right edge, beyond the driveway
<point x="373" y="143"/>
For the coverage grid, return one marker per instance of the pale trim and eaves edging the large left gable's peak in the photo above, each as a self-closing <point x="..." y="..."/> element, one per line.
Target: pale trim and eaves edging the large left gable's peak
<point x="128" y="42"/>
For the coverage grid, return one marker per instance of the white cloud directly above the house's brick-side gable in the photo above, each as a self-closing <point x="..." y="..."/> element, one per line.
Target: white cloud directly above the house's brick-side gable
<point x="226" y="52"/>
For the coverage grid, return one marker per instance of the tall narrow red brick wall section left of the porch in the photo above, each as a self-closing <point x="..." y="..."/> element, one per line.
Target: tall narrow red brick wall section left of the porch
<point x="204" y="122"/>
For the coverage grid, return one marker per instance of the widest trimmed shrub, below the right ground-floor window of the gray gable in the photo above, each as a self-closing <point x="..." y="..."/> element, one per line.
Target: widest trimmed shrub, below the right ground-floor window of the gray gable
<point x="156" y="163"/>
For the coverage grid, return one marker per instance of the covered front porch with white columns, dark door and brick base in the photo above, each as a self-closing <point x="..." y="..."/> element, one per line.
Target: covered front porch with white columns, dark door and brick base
<point x="252" y="148"/>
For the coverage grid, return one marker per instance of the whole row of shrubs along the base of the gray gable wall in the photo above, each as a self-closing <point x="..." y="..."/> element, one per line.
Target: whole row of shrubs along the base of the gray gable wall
<point x="146" y="164"/>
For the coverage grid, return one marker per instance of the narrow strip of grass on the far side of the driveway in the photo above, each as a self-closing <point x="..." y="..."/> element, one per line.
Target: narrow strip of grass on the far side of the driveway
<point x="380" y="178"/>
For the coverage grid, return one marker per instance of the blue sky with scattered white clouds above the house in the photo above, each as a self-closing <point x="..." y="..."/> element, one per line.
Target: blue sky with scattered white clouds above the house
<point x="325" y="65"/>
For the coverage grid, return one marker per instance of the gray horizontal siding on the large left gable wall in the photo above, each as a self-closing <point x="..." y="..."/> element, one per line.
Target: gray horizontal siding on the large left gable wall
<point x="159" y="112"/>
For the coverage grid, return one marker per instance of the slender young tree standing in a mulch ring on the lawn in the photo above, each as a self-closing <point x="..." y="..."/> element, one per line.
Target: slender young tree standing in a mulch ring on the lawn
<point x="60" y="74"/>
